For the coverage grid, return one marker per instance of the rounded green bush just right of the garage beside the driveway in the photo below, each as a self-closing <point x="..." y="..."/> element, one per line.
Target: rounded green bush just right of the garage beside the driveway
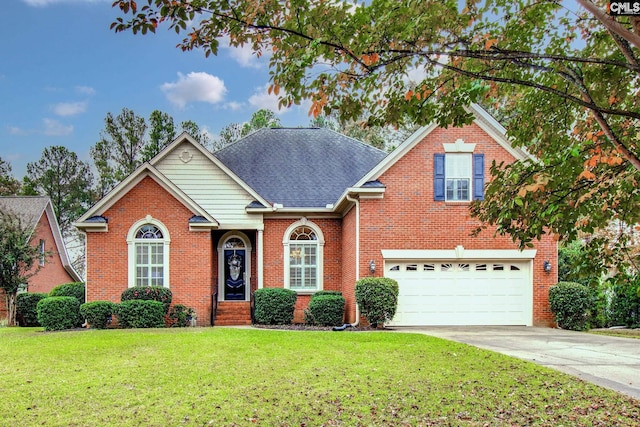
<point x="572" y="304"/>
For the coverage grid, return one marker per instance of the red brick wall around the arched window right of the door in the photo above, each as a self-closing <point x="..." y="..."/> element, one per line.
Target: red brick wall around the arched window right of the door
<point x="274" y="230"/>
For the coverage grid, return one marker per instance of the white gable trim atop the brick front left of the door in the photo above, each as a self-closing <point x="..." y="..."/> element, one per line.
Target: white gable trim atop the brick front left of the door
<point x="146" y="170"/>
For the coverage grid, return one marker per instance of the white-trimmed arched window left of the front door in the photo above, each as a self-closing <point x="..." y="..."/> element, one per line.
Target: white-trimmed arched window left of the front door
<point x="148" y="244"/>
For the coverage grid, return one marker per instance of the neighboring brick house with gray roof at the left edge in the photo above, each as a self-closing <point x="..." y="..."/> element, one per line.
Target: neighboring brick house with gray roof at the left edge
<point x="36" y="213"/>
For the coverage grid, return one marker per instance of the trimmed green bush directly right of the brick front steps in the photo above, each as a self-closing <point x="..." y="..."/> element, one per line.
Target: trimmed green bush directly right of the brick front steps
<point x="274" y="306"/>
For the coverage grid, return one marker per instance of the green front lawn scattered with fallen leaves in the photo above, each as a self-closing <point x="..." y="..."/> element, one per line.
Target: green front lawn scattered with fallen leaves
<point x="249" y="377"/>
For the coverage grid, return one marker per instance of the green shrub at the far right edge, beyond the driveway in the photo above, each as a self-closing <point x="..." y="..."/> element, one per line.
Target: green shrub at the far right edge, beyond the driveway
<point x="625" y="302"/>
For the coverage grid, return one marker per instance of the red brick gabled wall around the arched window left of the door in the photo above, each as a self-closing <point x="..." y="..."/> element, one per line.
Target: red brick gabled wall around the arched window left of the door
<point x="190" y="254"/>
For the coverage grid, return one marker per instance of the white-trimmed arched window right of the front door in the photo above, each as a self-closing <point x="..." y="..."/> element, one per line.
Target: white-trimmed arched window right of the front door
<point x="303" y="244"/>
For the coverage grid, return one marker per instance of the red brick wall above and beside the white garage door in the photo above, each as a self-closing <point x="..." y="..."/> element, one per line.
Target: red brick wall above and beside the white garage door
<point x="408" y="218"/>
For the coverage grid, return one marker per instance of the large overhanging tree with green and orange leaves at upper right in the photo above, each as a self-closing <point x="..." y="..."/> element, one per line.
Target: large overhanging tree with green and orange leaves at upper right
<point x="568" y="80"/>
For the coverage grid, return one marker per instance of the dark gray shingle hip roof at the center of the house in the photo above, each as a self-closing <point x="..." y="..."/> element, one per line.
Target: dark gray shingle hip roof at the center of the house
<point x="300" y="167"/>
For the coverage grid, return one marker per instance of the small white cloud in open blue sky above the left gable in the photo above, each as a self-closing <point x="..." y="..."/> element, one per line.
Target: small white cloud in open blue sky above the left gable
<point x="195" y="87"/>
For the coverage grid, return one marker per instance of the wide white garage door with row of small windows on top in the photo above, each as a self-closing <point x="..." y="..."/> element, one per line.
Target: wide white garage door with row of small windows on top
<point x="462" y="293"/>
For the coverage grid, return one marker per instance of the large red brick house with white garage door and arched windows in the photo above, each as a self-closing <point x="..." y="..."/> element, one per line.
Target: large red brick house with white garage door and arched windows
<point x="310" y="209"/>
